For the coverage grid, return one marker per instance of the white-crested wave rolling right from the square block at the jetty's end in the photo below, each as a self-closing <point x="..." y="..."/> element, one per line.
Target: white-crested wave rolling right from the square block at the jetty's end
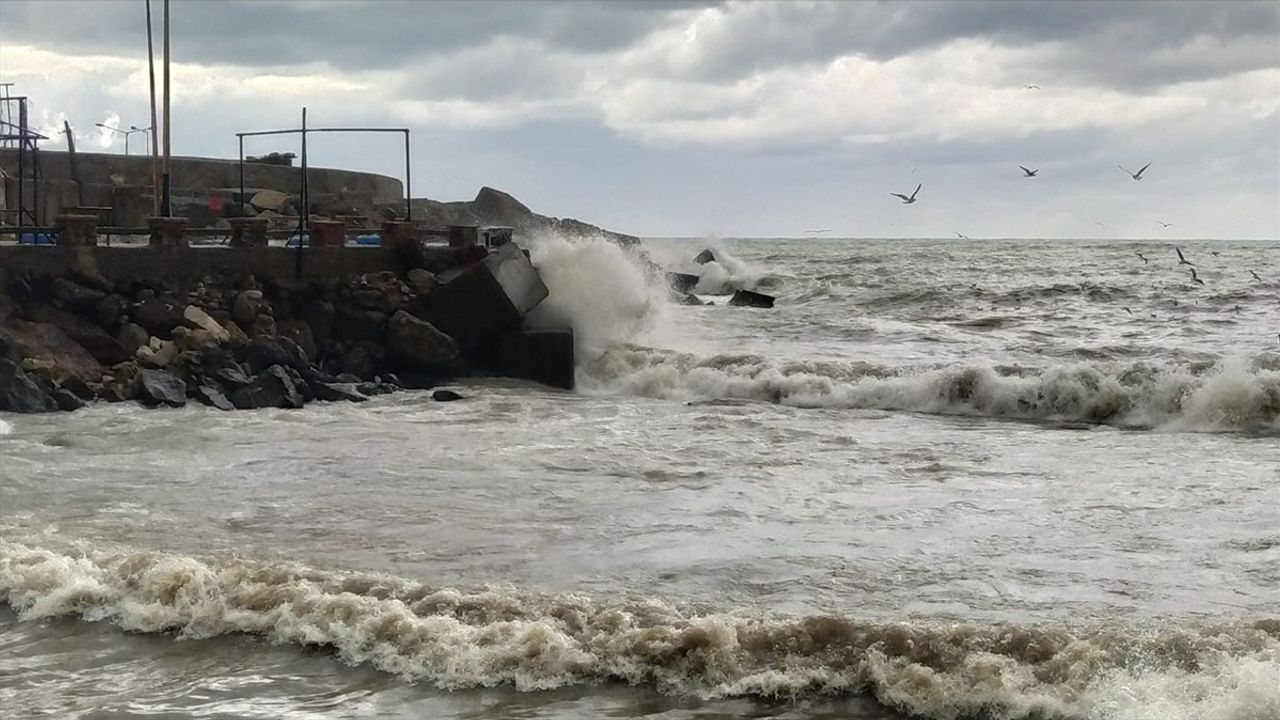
<point x="1224" y="398"/>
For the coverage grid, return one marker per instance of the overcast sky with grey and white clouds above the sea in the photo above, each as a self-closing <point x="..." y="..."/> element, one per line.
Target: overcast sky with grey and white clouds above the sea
<point x="721" y="119"/>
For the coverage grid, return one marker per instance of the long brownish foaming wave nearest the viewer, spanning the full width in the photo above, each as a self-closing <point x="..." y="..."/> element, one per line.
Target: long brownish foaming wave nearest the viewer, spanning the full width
<point x="456" y="639"/>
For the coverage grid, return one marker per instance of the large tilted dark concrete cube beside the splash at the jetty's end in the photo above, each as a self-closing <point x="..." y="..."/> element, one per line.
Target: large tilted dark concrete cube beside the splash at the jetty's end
<point x="481" y="302"/>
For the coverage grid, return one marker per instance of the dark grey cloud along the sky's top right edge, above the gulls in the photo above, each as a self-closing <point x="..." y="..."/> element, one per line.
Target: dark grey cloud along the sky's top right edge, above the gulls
<point x="1128" y="45"/>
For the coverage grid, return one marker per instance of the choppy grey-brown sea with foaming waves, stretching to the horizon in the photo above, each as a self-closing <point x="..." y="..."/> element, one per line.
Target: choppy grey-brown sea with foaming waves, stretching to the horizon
<point x="944" y="480"/>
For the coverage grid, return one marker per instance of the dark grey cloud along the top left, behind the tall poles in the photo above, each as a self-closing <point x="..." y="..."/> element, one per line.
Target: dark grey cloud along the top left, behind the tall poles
<point x="346" y="35"/>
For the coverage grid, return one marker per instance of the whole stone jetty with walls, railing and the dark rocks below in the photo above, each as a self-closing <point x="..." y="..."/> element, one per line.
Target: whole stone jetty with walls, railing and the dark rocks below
<point x="258" y="299"/>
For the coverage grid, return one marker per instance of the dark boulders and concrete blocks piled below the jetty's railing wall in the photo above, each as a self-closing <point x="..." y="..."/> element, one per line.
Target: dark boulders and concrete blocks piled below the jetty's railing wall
<point x="237" y="341"/>
